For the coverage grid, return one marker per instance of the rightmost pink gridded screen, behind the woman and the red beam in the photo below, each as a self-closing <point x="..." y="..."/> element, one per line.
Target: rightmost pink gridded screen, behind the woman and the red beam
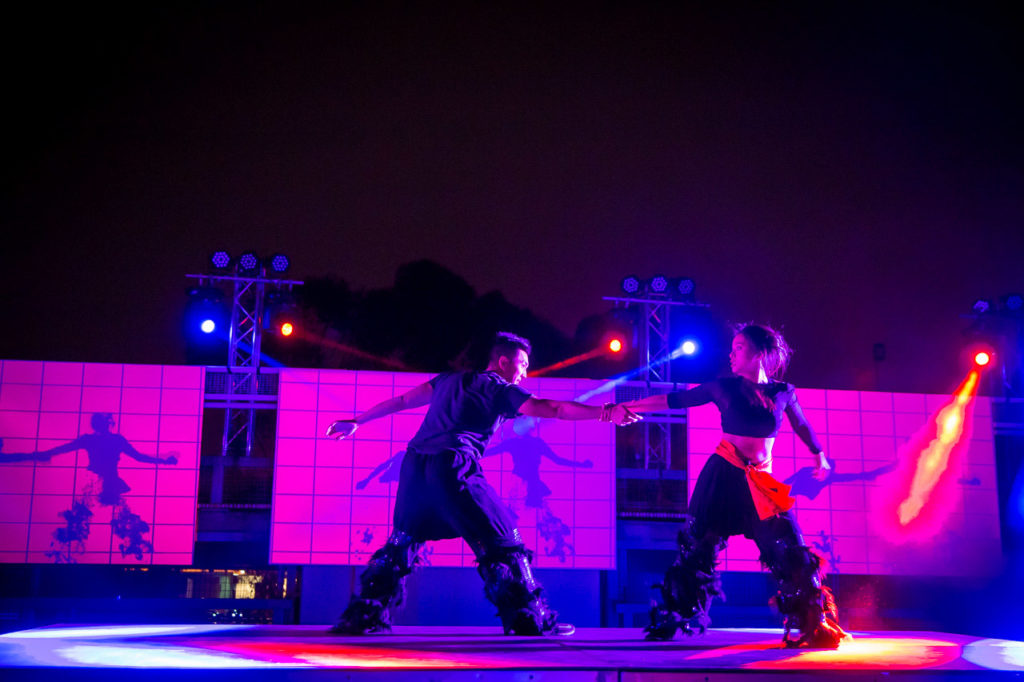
<point x="867" y="434"/>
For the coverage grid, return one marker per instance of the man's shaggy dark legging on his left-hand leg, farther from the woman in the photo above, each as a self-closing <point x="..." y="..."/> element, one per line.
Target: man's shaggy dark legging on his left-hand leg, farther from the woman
<point x="382" y="586"/>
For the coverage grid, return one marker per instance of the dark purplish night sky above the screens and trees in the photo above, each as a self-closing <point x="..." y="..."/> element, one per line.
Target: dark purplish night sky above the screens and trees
<point x="850" y="173"/>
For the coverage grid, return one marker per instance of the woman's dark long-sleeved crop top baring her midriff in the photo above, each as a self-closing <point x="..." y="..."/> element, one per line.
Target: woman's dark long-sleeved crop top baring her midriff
<point x="743" y="417"/>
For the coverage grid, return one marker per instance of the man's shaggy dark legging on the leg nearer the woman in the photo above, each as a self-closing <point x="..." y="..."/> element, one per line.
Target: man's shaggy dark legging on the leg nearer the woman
<point x="509" y="585"/>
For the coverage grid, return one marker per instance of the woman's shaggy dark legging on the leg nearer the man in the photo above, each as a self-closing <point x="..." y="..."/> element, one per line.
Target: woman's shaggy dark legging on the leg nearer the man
<point x="690" y="586"/>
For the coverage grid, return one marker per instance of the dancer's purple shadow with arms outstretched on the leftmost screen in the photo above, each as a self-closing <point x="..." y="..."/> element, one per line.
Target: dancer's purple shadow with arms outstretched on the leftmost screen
<point x="105" y="449"/>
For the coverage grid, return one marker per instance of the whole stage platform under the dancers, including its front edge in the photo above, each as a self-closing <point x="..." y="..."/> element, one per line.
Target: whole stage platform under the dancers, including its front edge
<point x="292" y="653"/>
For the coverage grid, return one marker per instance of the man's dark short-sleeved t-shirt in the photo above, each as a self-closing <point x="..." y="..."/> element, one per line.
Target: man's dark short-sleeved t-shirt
<point x="466" y="409"/>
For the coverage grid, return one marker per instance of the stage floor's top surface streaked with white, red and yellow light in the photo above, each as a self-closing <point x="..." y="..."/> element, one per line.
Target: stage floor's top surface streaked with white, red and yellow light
<point x="215" y="648"/>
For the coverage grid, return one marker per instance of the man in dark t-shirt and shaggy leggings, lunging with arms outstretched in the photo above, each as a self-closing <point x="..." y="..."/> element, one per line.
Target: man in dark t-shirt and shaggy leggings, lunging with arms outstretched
<point x="443" y="492"/>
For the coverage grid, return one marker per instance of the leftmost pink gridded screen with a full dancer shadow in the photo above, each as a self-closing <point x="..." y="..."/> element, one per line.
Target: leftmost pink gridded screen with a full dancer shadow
<point x="99" y="463"/>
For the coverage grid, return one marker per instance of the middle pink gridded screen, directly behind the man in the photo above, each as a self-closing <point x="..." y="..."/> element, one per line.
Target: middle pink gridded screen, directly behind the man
<point x="333" y="501"/>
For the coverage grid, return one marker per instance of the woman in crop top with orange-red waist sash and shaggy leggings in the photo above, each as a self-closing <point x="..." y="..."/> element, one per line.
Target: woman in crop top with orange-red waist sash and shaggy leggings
<point x="737" y="495"/>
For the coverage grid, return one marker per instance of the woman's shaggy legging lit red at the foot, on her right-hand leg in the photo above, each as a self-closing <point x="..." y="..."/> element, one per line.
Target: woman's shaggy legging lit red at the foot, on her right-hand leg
<point x="807" y="607"/>
